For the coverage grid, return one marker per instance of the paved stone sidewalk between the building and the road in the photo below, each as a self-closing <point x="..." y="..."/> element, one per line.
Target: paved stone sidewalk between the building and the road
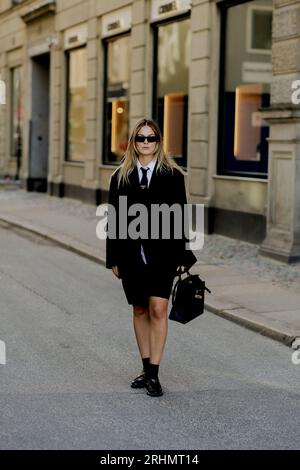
<point x="246" y="299"/>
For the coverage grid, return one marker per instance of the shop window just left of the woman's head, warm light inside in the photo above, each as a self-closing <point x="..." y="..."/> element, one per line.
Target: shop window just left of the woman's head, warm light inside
<point x="116" y="99"/>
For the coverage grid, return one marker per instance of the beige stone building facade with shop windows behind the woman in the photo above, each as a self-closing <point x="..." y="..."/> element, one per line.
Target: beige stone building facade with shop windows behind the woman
<point x="216" y="75"/>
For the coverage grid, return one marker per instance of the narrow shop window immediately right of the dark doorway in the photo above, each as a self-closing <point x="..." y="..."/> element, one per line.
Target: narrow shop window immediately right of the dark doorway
<point x="76" y="103"/>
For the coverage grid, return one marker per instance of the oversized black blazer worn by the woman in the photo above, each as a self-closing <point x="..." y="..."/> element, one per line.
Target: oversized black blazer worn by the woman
<point x="162" y="255"/>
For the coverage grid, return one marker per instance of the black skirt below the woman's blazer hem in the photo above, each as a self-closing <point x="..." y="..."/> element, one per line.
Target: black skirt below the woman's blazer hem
<point x="144" y="282"/>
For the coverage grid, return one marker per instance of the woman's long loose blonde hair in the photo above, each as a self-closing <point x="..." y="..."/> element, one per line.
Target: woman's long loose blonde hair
<point x="130" y="157"/>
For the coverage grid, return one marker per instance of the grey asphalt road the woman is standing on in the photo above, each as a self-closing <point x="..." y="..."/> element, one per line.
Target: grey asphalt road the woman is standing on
<point x="71" y="355"/>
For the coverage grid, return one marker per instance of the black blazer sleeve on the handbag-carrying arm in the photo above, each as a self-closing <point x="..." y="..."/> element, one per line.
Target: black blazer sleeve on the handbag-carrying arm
<point x="185" y="256"/>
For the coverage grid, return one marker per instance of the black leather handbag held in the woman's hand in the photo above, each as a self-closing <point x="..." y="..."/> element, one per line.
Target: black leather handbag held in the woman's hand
<point x="188" y="298"/>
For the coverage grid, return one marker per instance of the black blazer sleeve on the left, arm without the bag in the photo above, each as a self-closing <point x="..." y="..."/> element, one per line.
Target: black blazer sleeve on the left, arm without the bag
<point x="112" y="244"/>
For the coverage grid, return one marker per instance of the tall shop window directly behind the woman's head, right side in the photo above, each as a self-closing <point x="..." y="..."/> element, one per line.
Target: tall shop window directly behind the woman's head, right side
<point x="171" y="84"/>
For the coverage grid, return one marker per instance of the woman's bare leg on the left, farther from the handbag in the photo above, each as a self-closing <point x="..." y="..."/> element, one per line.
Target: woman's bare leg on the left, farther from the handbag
<point x="141" y="323"/>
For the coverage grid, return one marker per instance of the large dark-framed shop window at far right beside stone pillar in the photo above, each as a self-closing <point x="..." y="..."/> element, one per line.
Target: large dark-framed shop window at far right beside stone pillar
<point x="246" y="70"/>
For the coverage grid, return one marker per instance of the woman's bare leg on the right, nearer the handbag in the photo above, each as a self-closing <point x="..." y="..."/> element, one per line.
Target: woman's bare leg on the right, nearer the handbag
<point x="158" y="308"/>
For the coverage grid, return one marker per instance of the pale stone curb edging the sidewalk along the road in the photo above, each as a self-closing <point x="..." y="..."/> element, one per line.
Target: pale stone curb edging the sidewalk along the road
<point x="85" y="251"/>
